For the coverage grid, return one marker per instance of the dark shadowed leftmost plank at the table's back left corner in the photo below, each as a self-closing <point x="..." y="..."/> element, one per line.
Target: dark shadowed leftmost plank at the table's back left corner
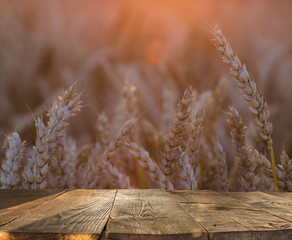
<point x="32" y="199"/>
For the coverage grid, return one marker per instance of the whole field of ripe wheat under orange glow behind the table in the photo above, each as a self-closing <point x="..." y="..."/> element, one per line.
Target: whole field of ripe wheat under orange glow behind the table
<point x="174" y="95"/>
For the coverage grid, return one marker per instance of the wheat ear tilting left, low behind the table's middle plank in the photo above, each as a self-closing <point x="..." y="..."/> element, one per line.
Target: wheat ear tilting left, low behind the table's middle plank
<point x="154" y="174"/>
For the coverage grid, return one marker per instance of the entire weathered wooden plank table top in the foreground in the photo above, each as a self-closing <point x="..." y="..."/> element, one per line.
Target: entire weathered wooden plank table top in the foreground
<point x="144" y="214"/>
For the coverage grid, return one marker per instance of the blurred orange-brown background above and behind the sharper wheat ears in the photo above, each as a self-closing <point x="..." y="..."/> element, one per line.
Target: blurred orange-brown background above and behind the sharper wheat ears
<point x="47" y="45"/>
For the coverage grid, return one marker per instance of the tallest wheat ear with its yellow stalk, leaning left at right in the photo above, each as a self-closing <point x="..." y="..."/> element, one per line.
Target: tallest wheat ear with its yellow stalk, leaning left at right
<point x="248" y="88"/>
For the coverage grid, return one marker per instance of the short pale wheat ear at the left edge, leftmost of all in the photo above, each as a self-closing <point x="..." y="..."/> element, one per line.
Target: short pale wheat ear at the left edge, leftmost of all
<point x="9" y="172"/>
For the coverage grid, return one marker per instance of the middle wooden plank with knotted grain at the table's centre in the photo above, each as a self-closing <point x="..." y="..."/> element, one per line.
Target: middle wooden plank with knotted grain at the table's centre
<point x="150" y="214"/>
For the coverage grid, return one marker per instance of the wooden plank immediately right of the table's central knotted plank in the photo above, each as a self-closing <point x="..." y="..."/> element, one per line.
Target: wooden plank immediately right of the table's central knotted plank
<point x="227" y="218"/>
